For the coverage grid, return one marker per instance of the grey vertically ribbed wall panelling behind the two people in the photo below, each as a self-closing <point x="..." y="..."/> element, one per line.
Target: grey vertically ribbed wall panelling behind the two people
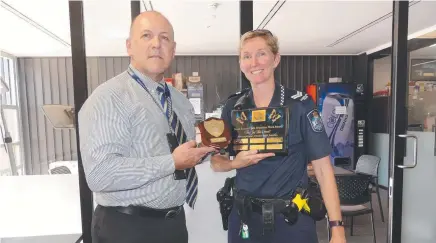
<point x="50" y="81"/>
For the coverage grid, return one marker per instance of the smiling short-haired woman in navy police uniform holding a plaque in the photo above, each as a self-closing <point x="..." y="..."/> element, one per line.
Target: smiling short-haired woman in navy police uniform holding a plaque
<point x="270" y="176"/>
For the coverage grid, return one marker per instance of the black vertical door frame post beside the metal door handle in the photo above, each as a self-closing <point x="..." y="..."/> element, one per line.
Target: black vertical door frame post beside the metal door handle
<point x="398" y="125"/>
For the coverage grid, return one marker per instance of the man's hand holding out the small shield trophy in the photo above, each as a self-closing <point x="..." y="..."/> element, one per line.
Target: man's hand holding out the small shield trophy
<point x="187" y="155"/>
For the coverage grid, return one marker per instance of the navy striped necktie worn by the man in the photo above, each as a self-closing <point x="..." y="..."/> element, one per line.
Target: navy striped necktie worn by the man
<point x="192" y="179"/>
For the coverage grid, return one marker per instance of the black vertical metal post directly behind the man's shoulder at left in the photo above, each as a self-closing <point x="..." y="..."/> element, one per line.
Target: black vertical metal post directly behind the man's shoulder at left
<point x="80" y="84"/>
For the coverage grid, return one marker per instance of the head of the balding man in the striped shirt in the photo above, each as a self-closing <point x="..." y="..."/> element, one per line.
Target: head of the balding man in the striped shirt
<point x="151" y="45"/>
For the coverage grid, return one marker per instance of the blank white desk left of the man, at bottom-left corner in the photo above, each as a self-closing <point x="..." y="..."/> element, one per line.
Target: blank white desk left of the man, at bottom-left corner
<point x="38" y="205"/>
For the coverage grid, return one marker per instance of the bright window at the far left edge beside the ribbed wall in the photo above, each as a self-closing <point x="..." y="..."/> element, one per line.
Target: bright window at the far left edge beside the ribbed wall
<point x="9" y="116"/>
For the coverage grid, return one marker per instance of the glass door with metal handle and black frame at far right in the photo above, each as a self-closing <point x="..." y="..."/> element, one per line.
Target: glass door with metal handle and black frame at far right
<point x="412" y="137"/>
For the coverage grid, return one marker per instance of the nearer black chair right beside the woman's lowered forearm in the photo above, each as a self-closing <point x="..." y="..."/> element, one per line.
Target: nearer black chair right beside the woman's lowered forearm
<point x="354" y="194"/>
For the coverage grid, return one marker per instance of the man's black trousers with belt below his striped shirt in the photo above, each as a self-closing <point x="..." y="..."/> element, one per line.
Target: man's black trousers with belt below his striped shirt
<point x="111" y="226"/>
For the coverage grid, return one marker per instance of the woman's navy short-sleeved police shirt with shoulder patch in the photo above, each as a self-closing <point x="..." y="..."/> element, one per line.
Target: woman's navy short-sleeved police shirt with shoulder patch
<point x="279" y="176"/>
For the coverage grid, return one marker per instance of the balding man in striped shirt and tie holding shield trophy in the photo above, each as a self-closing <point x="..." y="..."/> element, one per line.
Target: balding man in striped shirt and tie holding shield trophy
<point x="128" y="129"/>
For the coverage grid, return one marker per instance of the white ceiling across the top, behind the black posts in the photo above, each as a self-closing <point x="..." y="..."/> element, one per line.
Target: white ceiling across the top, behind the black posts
<point x="303" y="27"/>
